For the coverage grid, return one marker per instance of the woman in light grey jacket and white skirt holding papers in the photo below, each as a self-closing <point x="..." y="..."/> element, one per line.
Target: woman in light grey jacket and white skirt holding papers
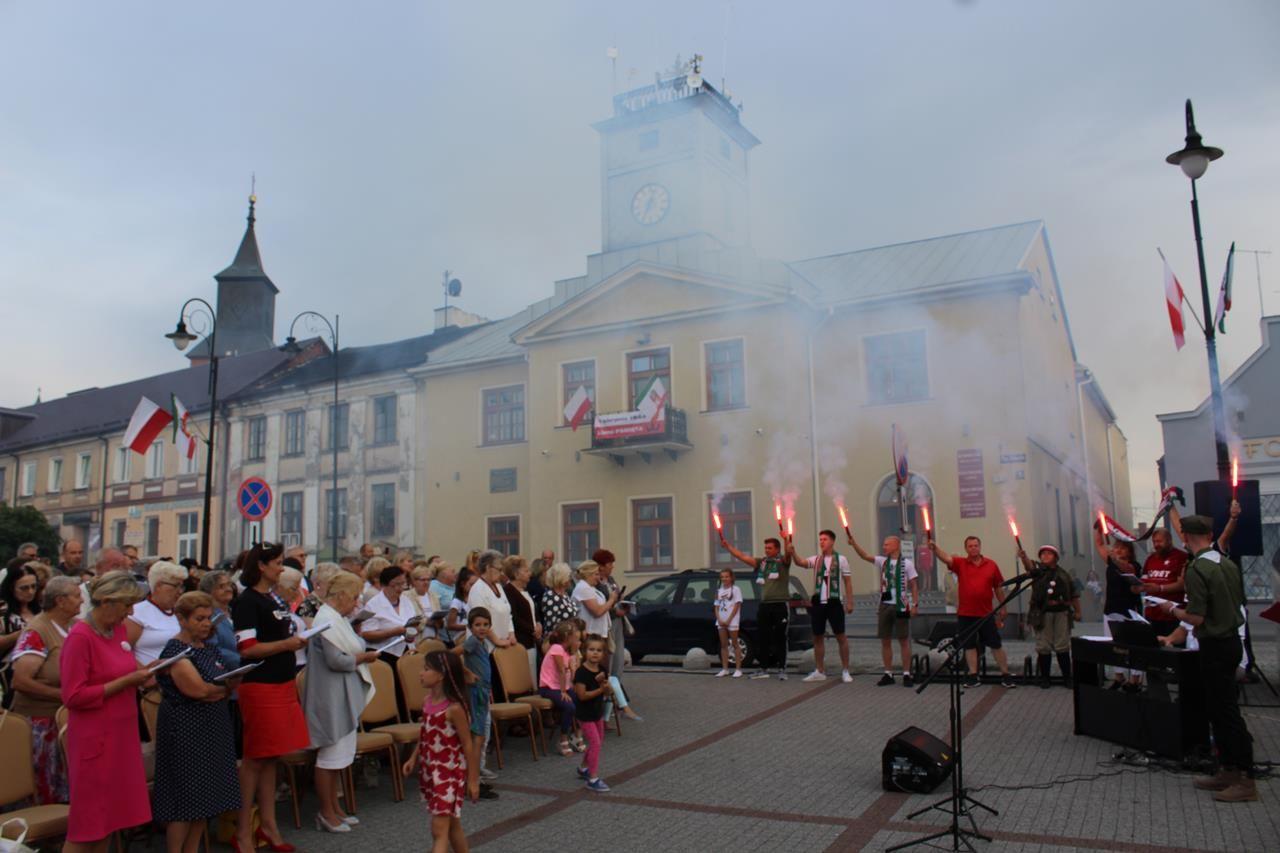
<point x="335" y="695"/>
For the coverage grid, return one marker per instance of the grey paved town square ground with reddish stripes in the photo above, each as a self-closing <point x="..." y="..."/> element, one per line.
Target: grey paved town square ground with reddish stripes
<point x="742" y="765"/>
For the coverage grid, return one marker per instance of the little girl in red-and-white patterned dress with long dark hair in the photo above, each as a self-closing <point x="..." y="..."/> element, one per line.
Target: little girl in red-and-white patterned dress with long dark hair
<point x="445" y="746"/>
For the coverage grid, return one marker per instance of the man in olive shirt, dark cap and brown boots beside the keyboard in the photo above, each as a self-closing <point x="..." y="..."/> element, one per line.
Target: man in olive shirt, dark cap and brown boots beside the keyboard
<point x="1215" y="595"/>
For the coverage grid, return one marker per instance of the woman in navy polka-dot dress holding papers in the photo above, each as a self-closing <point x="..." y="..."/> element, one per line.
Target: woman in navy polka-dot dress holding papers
<point x="195" y="745"/>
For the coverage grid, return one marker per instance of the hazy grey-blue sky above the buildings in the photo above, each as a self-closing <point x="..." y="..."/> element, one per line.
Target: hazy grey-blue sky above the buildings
<point x="392" y="142"/>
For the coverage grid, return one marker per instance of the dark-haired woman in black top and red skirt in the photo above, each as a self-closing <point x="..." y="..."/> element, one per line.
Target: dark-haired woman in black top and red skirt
<point x="269" y="706"/>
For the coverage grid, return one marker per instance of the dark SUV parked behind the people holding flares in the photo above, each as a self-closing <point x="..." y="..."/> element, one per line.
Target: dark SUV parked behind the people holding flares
<point x="678" y="613"/>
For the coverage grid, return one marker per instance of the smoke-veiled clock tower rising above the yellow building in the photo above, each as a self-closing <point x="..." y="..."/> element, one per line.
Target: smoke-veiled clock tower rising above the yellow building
<point x="674" y="162"/>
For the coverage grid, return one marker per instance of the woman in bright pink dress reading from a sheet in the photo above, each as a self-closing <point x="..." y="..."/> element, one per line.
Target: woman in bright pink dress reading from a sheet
<point x="104" y="754"/>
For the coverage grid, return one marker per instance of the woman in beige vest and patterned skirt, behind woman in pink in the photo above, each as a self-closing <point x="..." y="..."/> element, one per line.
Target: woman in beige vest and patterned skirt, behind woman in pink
<point x="38" y="685"/>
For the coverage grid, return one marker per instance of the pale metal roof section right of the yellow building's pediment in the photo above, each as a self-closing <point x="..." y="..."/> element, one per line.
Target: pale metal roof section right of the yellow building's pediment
<point x="922" y="264"/>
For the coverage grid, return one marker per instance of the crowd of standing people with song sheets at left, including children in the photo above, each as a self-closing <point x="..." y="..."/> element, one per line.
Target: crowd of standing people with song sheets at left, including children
<point x="258" y="660"/>
